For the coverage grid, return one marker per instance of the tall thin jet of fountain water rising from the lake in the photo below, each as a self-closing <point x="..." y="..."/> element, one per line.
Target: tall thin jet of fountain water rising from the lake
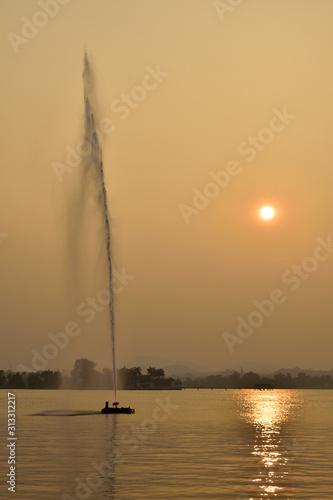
<point x="95" y="162"/>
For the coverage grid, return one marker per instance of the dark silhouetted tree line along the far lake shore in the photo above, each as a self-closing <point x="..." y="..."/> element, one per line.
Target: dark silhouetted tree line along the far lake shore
<point x="85" y="376"/>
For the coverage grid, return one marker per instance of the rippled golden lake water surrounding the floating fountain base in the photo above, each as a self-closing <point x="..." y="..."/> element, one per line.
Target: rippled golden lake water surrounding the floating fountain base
<point x="190" y="444"/>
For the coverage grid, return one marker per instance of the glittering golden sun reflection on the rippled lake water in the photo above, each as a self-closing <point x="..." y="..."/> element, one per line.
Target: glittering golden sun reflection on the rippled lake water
<point x="268" y="412"/>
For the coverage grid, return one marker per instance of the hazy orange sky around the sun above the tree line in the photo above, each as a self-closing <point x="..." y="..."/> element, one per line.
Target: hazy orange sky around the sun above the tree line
<point x="210" y="110"/>
